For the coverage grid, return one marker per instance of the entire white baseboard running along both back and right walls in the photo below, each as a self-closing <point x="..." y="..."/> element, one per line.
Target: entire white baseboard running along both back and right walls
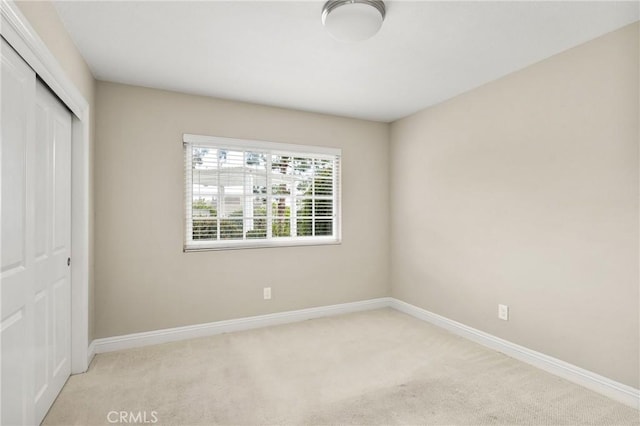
<point x="610" y="388"/>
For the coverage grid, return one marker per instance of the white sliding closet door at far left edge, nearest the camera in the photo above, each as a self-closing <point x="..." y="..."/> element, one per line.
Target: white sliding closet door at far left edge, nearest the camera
<point x="17" y="253"/>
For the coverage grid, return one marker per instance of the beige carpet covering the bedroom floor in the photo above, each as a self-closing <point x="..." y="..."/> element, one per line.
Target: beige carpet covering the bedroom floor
<point x="376" y="367"/>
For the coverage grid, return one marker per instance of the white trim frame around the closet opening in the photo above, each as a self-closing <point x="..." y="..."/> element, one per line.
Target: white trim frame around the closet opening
<point x="19" y="33"/>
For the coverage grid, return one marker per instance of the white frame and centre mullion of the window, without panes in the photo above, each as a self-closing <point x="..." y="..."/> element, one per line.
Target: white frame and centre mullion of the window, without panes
<point x="269" y="148"/>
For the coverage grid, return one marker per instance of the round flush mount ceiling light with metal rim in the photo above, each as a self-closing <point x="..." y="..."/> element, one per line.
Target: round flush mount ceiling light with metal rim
<point x="353" y="20"/>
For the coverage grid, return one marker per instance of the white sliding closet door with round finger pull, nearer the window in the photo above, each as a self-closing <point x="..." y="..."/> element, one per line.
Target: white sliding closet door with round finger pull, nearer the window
<point x="52" y="240"/>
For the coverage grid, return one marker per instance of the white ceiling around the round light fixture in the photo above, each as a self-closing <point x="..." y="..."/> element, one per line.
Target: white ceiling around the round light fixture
<point x="277" y="52"/>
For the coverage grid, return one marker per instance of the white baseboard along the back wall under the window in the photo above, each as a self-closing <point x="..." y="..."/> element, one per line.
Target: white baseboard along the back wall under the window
<point x="135" y="340"/>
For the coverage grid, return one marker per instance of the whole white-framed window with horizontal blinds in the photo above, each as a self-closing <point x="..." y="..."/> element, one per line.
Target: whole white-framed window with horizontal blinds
<point x="242" y="193"/>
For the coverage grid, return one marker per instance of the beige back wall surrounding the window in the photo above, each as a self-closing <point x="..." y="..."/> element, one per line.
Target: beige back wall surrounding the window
<point x="143" y="279"/>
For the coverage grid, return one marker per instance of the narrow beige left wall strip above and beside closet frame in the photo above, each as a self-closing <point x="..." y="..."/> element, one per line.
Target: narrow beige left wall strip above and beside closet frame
<point x="44" y="19"/>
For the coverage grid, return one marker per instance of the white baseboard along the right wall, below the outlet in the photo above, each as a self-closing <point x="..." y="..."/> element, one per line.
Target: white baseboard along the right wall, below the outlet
<point x="595" y="382"/>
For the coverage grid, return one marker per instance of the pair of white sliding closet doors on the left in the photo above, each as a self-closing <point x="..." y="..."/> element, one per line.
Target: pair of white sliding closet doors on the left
<point x="36" y="222"/>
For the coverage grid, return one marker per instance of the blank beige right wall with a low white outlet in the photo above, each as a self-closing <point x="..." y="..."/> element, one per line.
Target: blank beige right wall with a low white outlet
<point x="525" y="192"/>
